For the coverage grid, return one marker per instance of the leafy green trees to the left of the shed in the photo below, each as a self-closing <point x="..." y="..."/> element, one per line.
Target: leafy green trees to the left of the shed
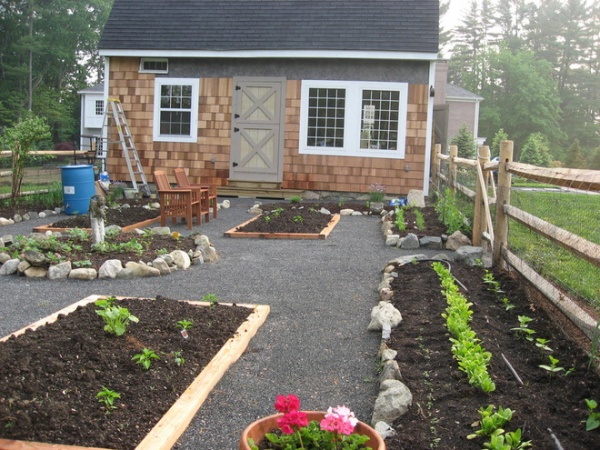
<point x="48" y="52"/>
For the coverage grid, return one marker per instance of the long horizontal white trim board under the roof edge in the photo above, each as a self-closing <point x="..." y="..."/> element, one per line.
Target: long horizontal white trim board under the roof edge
<point x="317" y="54"/>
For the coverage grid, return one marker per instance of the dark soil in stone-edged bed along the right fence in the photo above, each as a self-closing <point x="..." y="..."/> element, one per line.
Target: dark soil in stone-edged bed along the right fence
<point x="445" y="406"/>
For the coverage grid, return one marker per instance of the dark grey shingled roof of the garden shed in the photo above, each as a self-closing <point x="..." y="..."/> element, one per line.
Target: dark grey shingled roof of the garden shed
<point x="272" y="25"/>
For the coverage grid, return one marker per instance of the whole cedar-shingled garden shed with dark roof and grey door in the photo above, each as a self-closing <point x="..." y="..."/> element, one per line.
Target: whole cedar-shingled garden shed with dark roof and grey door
<point x="303" y="95"/>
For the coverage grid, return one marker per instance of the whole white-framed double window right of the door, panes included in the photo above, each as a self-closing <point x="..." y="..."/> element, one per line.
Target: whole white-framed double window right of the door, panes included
<point x="353" y="118"/>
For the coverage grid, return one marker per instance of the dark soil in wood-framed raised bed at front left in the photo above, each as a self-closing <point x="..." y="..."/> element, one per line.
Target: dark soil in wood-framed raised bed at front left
<point x="50" y="376"/>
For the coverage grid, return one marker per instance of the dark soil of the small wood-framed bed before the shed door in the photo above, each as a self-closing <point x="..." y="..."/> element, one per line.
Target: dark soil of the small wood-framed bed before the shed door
<point x="303" y="217"/>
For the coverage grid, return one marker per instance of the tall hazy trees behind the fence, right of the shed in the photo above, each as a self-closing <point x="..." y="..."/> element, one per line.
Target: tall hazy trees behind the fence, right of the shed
<point x="537" y="66"/>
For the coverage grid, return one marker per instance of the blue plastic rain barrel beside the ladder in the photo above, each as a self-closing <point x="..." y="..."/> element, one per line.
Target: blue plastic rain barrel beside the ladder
<point x="78" y="188"/>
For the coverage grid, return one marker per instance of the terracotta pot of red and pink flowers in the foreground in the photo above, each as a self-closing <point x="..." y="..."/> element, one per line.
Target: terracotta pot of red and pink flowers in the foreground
<point x="335" y="429"/>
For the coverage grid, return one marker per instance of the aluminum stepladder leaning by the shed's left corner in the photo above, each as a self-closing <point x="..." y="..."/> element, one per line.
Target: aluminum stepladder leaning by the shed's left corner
<point x="114" y="111"/>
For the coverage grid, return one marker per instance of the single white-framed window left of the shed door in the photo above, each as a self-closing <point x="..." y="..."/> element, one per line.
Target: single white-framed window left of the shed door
<point x="176" y="109"/>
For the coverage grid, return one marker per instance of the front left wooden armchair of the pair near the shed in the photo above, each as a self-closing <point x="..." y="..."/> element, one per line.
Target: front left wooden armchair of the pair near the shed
<point x="176" y="202"/>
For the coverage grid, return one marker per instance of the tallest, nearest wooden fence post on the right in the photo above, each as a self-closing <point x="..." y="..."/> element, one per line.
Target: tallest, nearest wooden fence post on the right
<point x="502" y="198"/>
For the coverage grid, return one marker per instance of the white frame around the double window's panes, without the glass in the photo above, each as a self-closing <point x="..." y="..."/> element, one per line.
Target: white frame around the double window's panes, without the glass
<point x="352" y="119"/>
